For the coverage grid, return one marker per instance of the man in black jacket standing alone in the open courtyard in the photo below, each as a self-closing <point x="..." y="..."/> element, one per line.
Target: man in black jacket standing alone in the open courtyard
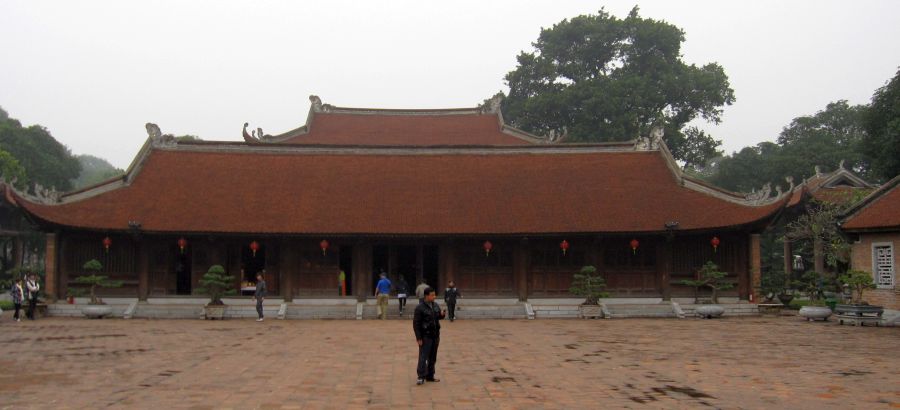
<point x="427" y="326"/>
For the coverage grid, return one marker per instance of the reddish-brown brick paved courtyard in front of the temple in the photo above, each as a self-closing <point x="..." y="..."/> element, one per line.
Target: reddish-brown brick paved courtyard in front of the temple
<point x="770" y="362"/>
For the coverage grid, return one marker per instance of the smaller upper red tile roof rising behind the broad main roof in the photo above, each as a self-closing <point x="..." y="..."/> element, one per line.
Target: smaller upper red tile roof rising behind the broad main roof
<point x="405" y="129"/>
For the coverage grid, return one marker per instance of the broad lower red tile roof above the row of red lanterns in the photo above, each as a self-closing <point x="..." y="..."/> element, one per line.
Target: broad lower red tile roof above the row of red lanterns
<point x="382" y="191"/>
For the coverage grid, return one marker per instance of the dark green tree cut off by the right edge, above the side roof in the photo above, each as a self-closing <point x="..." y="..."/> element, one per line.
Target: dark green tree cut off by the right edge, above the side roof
<point x="882" y="123"/>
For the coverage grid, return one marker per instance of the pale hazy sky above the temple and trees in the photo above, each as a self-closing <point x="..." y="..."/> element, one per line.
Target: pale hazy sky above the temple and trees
<point x="94" y="72"/>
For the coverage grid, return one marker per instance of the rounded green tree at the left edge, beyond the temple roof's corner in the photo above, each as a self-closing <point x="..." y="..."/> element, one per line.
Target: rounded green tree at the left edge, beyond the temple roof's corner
<point x="45" y="160"/>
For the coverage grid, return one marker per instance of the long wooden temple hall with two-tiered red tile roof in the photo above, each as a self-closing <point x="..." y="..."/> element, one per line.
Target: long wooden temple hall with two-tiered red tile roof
<point x="431" y="195"/>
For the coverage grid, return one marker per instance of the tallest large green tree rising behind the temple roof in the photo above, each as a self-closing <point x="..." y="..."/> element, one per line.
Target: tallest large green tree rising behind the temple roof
<point x="602" y="78"/>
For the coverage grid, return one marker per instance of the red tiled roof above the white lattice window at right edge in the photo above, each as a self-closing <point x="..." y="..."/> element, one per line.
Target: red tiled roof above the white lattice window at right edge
<point x="880" y="210"/>
